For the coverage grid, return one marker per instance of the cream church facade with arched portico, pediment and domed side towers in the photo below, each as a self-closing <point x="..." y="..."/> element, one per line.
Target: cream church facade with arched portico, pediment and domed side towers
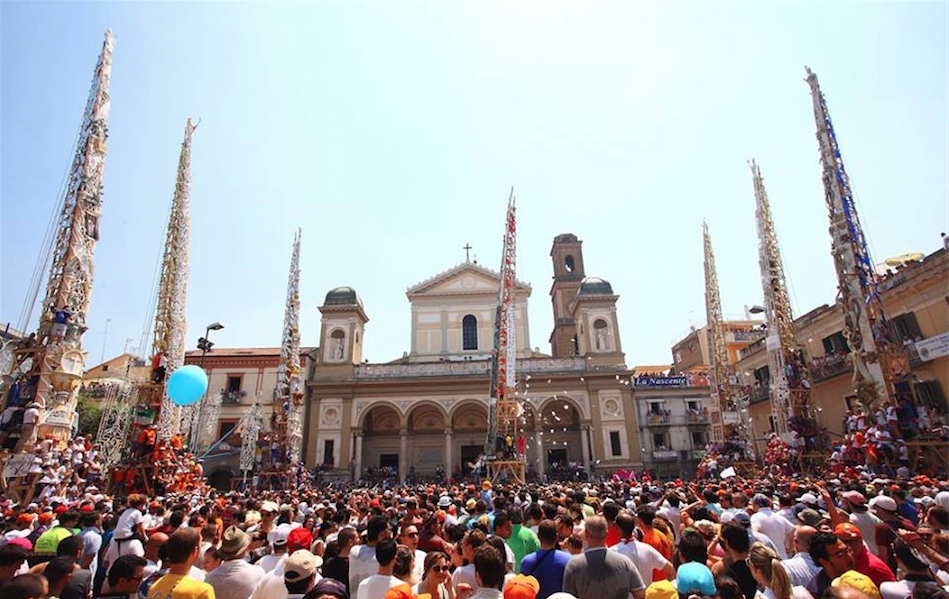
<point x="428" y="411"/>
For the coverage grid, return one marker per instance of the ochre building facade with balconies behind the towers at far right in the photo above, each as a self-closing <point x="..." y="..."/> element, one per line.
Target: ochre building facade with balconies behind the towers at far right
<point x="916" y="303"/>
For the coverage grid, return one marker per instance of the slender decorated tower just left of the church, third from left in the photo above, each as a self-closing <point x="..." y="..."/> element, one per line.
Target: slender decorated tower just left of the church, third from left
<point x="288" y="402"/>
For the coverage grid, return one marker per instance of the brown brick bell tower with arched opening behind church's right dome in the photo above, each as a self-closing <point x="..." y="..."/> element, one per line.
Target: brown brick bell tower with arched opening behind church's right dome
<point x="567" y="256"/>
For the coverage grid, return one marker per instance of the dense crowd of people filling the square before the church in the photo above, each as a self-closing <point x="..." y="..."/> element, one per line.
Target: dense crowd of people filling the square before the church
<point x="859" y="535"/>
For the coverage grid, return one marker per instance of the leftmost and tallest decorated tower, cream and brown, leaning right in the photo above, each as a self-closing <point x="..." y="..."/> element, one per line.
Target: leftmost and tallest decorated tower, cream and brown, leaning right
<point x="58" y="359"/>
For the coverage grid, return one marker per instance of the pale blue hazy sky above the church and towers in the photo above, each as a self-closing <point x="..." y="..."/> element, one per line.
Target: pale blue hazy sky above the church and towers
<point x="391" y="133"/>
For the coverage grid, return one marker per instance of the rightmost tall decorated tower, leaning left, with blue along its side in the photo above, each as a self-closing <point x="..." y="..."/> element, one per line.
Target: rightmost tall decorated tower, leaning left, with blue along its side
<point x="864" y="320"/>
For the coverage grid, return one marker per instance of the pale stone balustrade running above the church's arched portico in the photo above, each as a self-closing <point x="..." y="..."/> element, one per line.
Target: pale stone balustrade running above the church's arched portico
<point x="470" y="368"/>
